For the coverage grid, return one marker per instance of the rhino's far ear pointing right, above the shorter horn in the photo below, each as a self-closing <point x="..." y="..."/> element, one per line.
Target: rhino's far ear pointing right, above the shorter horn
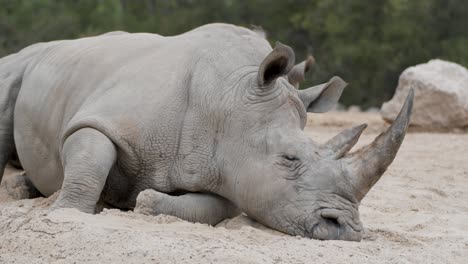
<point x="322" y="98"/>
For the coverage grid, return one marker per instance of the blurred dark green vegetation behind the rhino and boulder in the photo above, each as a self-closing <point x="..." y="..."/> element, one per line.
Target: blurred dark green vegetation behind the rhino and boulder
<point x="367" y="43"/>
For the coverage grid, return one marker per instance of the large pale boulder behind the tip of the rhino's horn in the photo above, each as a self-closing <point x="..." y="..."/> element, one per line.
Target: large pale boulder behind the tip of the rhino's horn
<point x="441" y="96"/>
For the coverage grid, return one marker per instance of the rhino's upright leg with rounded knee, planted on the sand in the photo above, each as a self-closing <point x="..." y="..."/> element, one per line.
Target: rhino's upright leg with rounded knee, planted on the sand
<point x="87" y="157"/>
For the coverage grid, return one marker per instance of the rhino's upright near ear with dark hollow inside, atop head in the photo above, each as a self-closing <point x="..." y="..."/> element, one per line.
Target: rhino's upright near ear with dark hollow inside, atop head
<point x="278" y="63"/>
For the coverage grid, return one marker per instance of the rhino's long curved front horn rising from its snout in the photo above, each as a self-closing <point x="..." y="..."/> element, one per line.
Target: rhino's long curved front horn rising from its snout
<point x="366" y="166"/>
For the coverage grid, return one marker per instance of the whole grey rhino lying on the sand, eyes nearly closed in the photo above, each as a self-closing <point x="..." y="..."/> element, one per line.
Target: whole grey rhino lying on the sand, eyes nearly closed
<point x="206" y="120"/>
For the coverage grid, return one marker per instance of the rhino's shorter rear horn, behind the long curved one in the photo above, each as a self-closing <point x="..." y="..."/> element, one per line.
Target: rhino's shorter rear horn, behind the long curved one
<point x="340" y="144"/>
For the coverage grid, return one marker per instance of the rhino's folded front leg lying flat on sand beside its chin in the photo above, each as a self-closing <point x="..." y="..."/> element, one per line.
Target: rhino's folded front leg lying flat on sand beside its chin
<point x="194" y="207"/>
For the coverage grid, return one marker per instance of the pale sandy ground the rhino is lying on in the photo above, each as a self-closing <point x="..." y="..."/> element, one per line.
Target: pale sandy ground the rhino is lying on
<point x="417" y="213"/>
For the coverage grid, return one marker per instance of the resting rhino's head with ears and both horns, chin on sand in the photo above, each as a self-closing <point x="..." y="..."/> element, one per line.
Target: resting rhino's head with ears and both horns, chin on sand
<point x="281" y="177"/>
